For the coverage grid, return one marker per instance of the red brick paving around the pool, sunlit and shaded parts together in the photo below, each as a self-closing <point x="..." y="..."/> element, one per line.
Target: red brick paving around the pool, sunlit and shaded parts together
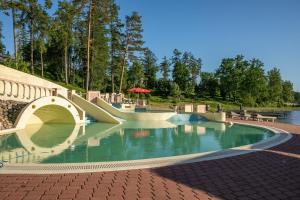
<point x="271" y="174"/>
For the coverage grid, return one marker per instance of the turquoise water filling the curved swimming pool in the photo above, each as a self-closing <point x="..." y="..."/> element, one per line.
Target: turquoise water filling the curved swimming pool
<point x="57" y="143"/>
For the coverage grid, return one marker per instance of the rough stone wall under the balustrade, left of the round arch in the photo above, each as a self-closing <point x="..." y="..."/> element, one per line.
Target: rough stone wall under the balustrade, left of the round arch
<point x="9" y="111"/>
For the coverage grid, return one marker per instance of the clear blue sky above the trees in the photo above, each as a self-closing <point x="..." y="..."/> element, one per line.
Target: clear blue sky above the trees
<point x="214" y="29"/>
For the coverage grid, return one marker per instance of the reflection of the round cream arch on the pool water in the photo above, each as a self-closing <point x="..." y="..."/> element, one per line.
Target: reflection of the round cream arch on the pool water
<point x="37" y="142"/>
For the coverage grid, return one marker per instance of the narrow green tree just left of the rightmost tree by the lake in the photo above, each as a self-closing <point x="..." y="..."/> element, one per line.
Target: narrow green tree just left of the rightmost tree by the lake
<point x="275" y="85"/>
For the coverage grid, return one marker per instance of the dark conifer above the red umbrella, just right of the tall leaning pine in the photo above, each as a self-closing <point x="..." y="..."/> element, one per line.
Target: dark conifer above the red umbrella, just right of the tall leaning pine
<point x="150" y="68"/>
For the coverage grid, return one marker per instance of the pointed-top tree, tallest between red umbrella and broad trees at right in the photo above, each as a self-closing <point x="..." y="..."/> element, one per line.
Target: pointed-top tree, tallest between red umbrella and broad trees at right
<point x="180" y="71"/>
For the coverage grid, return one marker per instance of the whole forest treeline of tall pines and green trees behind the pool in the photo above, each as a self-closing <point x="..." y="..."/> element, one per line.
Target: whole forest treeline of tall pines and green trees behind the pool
<point x="86" y="44"/>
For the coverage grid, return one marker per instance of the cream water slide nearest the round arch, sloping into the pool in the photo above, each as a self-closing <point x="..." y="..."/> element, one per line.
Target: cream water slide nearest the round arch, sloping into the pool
<point x="93" y="110"/>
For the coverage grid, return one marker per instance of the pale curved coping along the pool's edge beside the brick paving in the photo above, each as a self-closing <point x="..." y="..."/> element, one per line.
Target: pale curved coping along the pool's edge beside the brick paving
<point x="280" y="136"/>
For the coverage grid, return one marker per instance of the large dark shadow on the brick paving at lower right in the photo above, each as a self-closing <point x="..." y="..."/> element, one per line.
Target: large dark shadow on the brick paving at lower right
<point x="269" y="174"/>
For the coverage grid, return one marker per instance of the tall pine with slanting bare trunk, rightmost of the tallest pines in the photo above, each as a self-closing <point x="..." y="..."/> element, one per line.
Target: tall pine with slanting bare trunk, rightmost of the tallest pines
<point x="133" y="41"/>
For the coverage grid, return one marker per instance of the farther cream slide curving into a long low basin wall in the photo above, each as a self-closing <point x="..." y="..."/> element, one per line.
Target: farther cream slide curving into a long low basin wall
<point x="133" y="116"/>
